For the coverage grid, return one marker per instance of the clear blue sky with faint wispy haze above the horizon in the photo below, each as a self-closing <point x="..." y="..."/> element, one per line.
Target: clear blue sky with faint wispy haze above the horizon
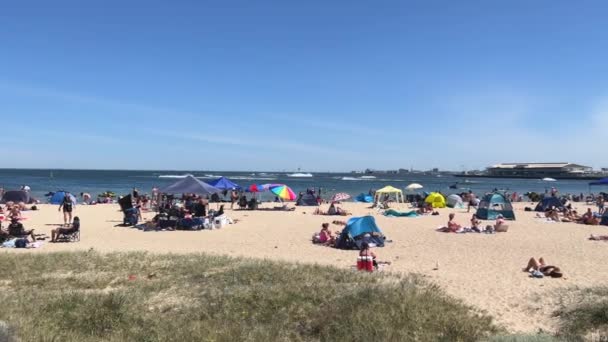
<point x="321" y="85"/>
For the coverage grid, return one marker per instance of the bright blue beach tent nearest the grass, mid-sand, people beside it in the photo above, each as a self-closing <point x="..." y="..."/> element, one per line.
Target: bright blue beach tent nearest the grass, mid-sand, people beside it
<point x="358" y="230"/>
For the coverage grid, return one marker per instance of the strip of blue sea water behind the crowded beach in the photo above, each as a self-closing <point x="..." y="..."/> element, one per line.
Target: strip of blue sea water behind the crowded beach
<point x="121" y="182"/>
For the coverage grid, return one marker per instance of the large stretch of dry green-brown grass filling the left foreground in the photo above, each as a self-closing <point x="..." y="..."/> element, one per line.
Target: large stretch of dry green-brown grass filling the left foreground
<point x="88" y="296"/>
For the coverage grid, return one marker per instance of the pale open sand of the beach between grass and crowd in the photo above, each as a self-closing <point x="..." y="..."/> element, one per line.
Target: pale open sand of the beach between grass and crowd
<point x="484" y="270"/>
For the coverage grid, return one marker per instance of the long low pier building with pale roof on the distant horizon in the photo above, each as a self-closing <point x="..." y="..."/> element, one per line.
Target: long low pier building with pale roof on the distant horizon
<point x="538" y="170"/>
